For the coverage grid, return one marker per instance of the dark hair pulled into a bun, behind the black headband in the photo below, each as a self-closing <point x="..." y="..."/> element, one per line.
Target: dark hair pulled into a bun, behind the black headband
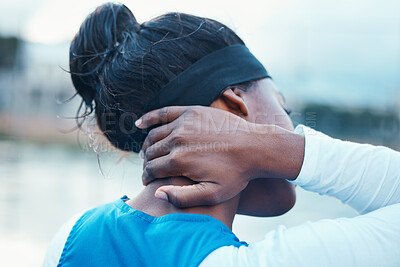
<point x="118" y="65"/>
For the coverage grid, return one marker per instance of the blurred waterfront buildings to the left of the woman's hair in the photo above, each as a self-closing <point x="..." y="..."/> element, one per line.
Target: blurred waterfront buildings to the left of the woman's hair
<point x="32" y="87"/>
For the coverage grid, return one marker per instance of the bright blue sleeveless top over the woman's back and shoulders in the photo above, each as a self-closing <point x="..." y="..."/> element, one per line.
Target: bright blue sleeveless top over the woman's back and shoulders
<point x="115" y="234"/>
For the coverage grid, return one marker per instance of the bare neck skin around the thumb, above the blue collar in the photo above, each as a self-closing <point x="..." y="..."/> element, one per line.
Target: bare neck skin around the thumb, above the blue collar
<point x="146" y="202"/>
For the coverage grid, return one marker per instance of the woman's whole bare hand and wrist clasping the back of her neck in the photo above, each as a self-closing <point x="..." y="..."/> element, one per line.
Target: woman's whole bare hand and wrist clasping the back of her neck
<point x="217" y="149"/>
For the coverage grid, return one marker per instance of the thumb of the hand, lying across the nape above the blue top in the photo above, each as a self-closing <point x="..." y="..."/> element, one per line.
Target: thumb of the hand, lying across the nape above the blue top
<point x="201" y="194"/>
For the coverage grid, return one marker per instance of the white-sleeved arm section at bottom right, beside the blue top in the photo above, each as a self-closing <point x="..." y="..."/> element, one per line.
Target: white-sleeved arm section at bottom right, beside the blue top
<point x="367" y="240"/>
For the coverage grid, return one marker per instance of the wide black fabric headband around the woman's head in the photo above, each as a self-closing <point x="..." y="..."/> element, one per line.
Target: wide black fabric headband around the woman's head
<point x="205" y="80"/>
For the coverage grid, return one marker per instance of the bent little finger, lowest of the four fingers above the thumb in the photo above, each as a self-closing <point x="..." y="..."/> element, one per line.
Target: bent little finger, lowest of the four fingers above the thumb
<point x="159" y="168"/>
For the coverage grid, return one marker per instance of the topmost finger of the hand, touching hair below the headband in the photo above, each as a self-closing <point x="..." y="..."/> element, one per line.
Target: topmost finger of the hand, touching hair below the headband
<point x="162" y="115"/>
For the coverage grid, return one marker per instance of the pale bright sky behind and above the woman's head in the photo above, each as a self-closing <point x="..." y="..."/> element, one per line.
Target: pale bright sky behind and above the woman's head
<point x="348" y="49"/>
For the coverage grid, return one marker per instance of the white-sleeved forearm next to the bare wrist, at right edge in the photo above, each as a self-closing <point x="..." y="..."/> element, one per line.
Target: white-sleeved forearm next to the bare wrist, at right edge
<point x="365" y="177"/>
